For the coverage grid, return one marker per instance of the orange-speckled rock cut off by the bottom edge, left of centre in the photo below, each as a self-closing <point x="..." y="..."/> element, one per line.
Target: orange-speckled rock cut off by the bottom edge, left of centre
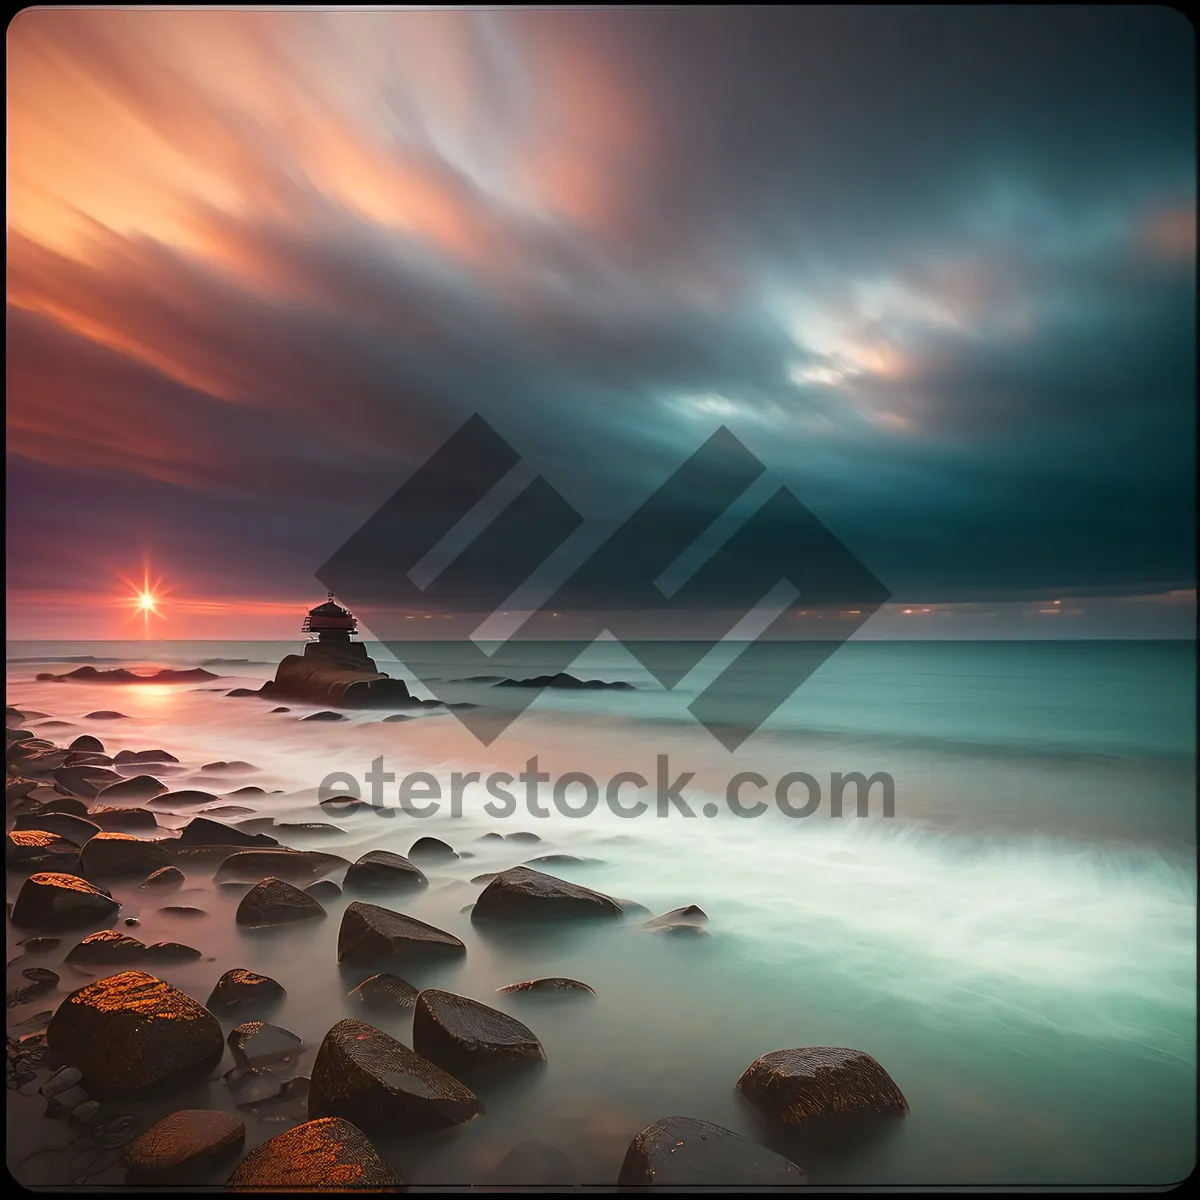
<point x="310" y="1157"/>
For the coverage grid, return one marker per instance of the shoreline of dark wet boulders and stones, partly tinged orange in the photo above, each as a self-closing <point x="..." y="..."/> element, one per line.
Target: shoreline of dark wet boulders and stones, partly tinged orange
<point x="75" y="826"/>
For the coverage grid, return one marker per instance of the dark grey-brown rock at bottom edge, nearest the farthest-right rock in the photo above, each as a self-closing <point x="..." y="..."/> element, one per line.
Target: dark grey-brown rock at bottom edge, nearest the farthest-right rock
<point x="688" y="1154"/>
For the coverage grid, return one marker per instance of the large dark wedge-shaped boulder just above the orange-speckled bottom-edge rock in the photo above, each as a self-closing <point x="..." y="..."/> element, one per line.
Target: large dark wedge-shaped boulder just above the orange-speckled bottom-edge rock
<point x="369" y="1078"/>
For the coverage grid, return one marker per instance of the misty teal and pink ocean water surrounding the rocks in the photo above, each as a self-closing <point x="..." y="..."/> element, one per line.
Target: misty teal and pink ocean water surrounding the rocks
<point x="1016" y="944"/>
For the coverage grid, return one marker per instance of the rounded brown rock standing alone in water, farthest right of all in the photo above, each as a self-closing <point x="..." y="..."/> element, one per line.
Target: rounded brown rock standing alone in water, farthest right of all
<point x="795" y="1087"/>
